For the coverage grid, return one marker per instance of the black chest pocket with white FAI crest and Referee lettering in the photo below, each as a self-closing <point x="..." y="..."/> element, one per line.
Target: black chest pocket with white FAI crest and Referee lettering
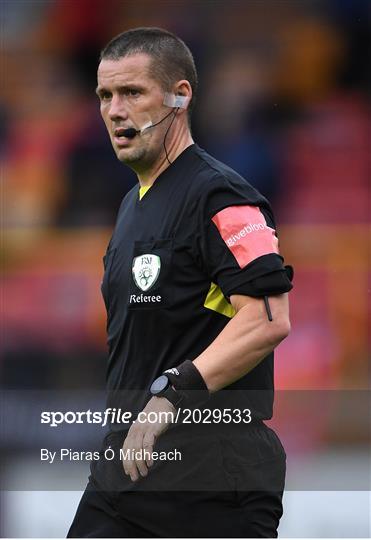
<point x="150" y="281"/>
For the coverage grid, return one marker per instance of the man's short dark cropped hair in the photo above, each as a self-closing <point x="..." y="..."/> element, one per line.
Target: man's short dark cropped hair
<point x="172" y="60"/>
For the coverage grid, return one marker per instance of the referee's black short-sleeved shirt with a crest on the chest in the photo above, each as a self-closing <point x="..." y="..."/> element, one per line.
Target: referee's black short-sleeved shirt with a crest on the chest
<point x="152" y="330"/>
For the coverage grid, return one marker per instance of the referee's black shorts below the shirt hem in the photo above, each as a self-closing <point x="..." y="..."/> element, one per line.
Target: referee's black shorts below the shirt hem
<point x="238" y="480"/>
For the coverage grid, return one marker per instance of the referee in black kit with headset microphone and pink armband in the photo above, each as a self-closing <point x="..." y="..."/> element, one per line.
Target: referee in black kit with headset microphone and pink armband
<point x="196" y="298"/>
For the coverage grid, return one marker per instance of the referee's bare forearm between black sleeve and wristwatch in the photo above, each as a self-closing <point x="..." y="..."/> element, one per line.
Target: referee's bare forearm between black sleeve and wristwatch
<point x="244" y="342"/>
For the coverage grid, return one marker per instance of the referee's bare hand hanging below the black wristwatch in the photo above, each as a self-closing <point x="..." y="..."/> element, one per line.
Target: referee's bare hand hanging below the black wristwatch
<point x="143" y="434"/>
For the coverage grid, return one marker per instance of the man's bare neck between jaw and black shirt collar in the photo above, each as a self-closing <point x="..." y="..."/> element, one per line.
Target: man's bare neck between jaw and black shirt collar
<point x="174" y="148"/>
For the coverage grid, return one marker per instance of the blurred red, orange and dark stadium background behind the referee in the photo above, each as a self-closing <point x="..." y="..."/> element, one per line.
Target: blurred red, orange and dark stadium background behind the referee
<point x="283" y="100"/>
